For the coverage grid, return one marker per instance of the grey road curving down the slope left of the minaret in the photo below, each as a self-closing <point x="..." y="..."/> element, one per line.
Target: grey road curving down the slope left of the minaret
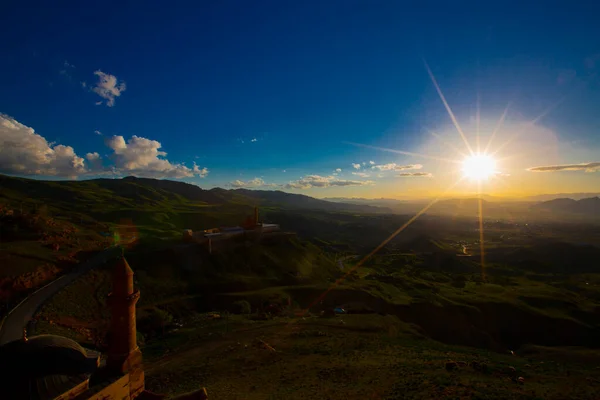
<point x="18" y="318"/>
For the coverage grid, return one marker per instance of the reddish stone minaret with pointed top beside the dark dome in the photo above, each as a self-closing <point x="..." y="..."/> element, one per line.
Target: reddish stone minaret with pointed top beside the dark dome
<point x="124" y="355"/>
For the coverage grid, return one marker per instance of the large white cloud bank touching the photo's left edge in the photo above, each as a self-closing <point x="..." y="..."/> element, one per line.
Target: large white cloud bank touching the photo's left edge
<point x="24" y="152"/>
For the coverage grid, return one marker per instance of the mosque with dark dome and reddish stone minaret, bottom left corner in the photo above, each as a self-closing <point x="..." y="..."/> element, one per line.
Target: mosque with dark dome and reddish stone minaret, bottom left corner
<point x="50" y="367"/>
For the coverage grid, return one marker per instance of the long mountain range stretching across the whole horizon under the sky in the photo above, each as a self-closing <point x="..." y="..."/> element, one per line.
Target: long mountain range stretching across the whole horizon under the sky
<point x="133" y="194"/>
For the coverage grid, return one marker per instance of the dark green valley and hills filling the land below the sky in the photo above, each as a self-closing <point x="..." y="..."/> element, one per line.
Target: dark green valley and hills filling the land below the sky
<point x="427" y="316"/>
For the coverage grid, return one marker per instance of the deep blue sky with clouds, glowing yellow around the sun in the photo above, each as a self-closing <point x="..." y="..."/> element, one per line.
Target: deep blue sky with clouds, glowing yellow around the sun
<point x="270" y="94"/>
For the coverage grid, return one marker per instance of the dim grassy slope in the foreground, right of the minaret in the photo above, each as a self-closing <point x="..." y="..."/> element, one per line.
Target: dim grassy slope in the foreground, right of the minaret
<point x="354" y="356"/>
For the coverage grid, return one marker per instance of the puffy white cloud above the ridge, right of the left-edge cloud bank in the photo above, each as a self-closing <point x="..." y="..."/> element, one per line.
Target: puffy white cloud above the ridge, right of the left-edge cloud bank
<point x="142" y="157"/>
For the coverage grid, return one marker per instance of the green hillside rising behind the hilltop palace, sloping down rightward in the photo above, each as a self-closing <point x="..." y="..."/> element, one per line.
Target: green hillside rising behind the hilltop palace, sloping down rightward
<point x="158" y="208"/>
